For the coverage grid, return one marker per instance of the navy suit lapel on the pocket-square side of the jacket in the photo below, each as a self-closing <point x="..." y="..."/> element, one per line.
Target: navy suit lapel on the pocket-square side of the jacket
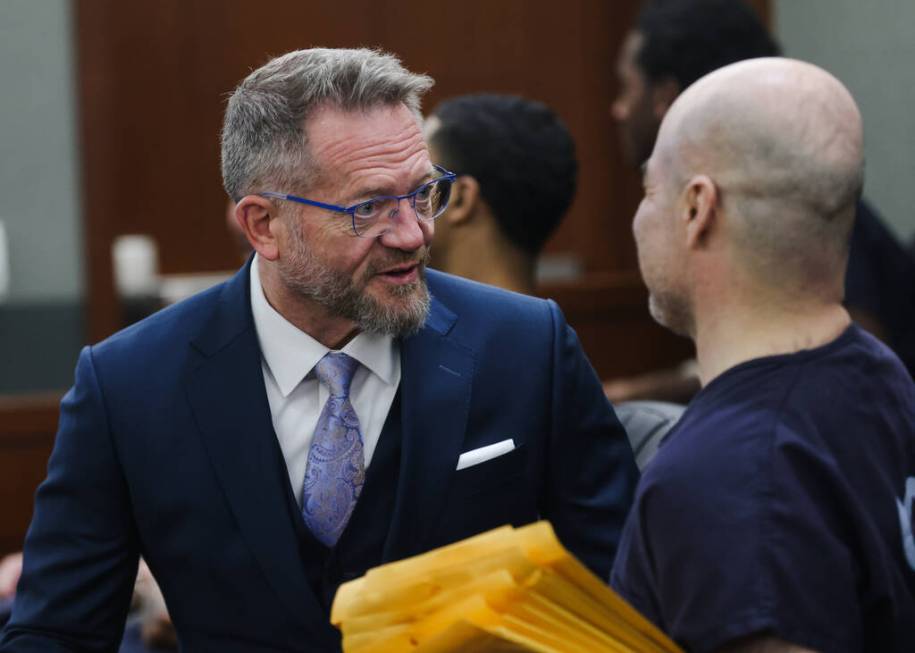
<point x="436" y="379"/>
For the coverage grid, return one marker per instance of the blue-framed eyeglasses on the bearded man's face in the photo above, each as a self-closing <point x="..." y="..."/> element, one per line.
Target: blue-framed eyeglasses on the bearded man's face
<point x="371" y="218"/>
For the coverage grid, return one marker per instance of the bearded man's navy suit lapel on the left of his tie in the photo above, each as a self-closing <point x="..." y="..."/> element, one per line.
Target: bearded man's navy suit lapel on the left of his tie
<point x="227" y="395"/>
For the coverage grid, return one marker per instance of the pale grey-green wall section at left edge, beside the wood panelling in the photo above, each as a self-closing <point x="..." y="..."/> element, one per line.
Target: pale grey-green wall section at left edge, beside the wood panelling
<point x="39" y="194"/>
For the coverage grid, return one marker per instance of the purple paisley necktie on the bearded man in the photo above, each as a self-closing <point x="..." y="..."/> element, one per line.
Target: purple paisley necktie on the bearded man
<point x="335" y="471"/>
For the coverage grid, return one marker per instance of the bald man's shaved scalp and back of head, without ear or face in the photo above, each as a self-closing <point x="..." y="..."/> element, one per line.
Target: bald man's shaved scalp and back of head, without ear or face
<point x="782" y="141"/>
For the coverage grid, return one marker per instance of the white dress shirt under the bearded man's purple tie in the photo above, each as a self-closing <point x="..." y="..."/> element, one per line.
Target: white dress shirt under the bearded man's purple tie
<point x="294" y="393"/>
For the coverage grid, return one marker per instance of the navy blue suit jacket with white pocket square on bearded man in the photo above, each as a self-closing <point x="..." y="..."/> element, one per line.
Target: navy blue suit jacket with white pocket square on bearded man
<point x="166" y="448"/>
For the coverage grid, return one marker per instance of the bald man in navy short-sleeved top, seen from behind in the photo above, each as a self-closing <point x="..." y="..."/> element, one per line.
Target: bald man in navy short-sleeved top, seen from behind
<point x="777" y="515"/>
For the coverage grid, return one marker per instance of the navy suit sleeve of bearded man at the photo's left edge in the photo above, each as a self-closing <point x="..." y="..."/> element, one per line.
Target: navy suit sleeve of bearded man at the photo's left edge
<point x="80" y="555"/>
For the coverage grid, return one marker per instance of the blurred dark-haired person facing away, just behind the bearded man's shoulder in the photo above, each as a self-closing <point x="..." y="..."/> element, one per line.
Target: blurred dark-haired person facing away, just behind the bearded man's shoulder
<point x="517" y="175"/>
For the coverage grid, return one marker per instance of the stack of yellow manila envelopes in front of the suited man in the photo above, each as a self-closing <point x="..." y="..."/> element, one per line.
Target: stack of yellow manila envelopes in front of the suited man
<point x="504" y="590"/>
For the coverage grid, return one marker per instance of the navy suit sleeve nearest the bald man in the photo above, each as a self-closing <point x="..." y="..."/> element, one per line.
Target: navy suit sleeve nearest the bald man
<point x="591" y="471"/>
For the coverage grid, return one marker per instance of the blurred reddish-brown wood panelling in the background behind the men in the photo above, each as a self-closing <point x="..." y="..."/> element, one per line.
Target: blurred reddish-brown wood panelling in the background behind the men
<point x="152" y="78"/>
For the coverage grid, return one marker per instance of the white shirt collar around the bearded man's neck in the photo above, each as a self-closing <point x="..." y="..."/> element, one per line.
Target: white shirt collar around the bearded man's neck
<point x="290" y="353"/>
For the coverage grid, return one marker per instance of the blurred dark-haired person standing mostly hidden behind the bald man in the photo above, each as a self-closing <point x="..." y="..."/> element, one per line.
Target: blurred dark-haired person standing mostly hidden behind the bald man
<point x="674" y="43"/>
